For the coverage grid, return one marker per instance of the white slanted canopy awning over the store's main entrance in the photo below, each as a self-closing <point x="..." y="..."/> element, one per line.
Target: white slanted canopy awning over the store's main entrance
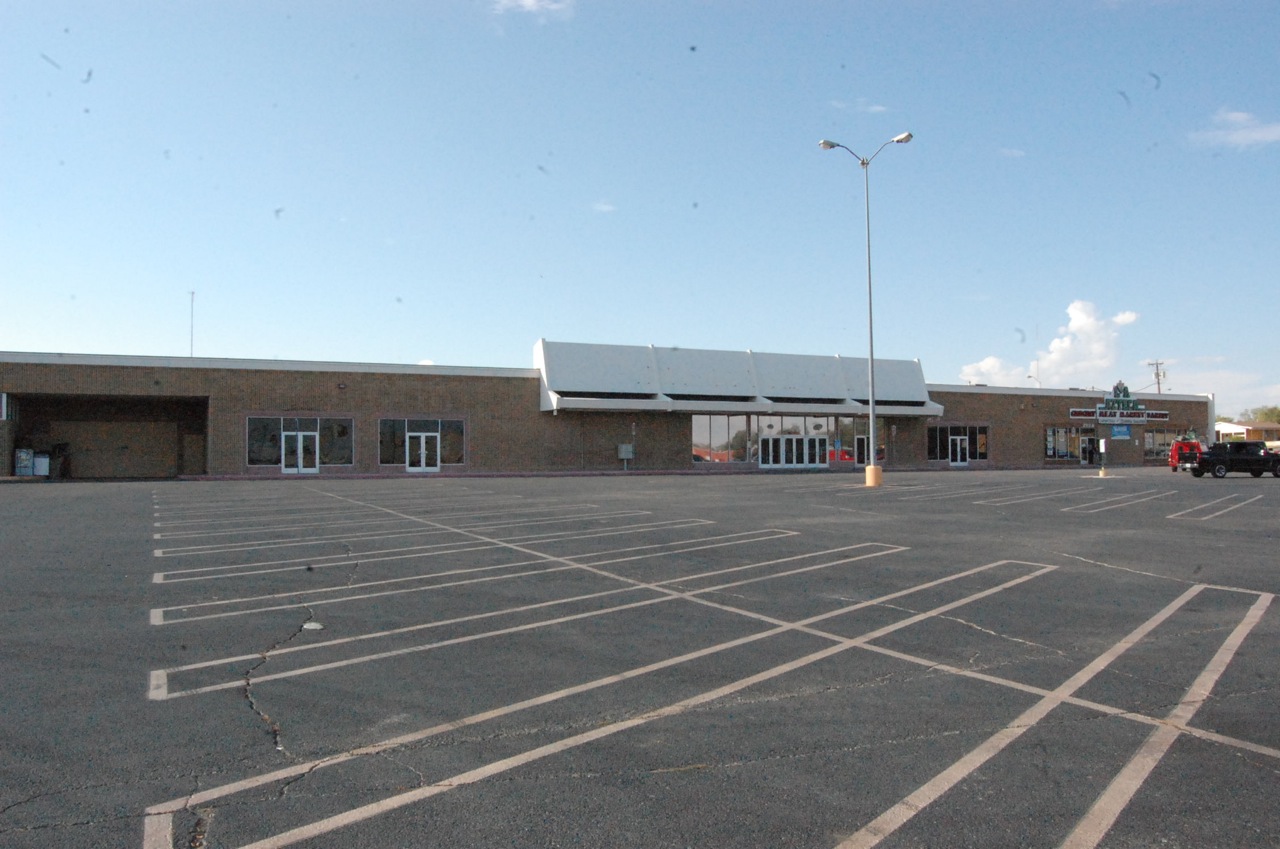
<point x="614" y="377"/>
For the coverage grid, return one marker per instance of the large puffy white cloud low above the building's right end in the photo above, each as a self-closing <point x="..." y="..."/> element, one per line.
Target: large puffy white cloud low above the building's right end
<point x="1084" y="354"/>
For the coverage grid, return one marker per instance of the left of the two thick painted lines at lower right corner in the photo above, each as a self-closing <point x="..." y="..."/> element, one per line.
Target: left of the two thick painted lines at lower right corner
<point x="886" y="824"/>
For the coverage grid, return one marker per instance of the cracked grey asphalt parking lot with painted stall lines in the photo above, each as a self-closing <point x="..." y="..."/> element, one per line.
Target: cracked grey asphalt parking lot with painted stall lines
<point x="776" y="660"/>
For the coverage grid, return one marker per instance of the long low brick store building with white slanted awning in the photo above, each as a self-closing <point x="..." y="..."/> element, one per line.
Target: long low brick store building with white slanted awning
<point x="582" y="408"/>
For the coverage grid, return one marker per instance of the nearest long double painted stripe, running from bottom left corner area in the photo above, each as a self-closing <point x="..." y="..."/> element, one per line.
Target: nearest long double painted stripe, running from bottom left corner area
<point x="158" y="827"/>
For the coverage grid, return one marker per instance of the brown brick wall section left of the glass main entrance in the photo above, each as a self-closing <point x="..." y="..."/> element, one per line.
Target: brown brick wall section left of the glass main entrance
<point x="505" y="431"/>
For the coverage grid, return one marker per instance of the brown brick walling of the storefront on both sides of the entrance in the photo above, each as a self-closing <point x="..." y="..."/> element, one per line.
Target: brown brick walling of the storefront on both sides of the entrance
<point x="505" y="430"/>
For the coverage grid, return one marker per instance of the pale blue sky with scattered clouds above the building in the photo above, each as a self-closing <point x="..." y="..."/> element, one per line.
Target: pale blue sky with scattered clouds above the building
<point x="1091" y="189"/>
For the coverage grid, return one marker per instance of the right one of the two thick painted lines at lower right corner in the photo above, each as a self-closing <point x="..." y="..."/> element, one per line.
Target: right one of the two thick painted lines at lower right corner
<point x="1107" y="810"/>
